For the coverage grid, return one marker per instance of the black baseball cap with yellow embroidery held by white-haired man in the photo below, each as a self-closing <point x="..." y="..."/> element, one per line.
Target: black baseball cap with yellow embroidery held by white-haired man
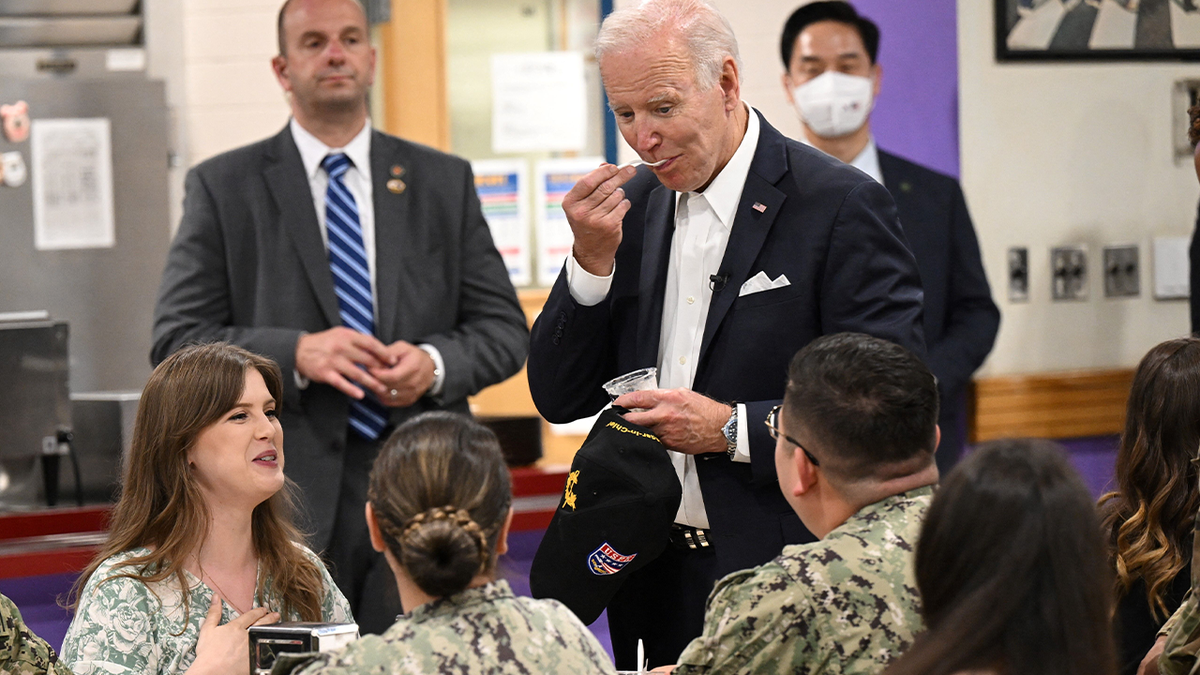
<point x="621" y="499"/>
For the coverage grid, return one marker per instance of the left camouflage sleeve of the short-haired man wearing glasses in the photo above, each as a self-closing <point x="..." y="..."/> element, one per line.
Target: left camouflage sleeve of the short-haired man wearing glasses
<point x="749" y="616"/>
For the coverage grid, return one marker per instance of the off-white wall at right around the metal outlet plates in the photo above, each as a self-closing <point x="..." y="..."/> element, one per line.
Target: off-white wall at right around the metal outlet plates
<point x="1071" y="154"/>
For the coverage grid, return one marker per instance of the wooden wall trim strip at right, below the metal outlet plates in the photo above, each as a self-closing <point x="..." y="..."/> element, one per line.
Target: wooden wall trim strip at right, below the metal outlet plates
<point x="1054" y="405"/>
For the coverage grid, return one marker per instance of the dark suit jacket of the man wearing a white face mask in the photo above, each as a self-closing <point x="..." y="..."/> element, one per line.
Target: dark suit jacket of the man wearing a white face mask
<point x="961" y="318"/>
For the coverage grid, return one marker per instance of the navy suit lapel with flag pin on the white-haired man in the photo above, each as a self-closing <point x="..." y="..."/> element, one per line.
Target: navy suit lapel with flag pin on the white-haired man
<point x="751" y="228"/>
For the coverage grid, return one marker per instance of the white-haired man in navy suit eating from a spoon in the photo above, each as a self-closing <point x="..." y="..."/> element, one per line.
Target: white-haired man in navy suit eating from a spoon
<point x="716" y="266"/>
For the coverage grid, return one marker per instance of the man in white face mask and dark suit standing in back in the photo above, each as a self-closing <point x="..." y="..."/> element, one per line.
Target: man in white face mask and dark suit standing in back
<point x="832" y="79"/>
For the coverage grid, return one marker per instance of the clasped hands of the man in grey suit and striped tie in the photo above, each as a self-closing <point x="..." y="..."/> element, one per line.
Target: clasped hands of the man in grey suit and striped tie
<point x="351" y="362"/>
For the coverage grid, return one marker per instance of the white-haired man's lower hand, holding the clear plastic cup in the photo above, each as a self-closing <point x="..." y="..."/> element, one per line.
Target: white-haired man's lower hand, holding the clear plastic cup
<point x="685" y="421"/>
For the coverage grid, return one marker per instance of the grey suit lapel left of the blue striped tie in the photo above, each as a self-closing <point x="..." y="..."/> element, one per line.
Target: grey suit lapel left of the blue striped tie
<point x="290" y="187"/>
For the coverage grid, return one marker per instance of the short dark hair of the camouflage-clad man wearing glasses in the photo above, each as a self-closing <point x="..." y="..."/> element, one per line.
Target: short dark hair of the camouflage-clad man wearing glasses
<point x="868" y="404"/>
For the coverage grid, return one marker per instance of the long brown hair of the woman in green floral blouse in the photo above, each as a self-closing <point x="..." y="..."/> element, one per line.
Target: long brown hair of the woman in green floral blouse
<point x="161" y="506"/>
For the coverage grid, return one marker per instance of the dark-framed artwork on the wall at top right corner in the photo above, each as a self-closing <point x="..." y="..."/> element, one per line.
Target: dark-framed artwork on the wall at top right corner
<point x="1029" y="31"/>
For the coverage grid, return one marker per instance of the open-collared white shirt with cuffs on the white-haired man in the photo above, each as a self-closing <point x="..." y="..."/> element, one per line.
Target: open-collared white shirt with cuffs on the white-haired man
<point x="703" y="224"/>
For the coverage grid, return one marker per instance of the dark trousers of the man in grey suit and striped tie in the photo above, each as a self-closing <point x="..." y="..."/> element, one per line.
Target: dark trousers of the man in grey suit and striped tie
<point x="362" y="574"/>
